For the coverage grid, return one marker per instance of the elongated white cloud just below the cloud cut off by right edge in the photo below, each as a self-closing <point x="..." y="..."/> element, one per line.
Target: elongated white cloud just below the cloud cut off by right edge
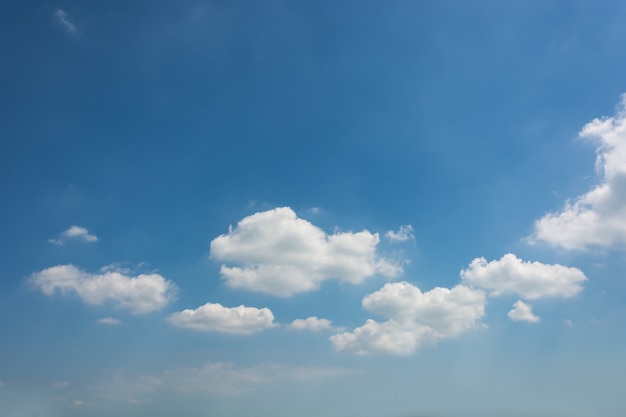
<point x="530" y="280"/>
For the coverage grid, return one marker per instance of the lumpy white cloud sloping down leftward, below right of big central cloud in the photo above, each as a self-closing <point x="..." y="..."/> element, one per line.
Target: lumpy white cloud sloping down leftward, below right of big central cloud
<point x="415" y="318"/>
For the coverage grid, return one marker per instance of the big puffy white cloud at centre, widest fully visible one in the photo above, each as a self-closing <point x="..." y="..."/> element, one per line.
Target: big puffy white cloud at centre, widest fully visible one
<point x="281" y="254"/>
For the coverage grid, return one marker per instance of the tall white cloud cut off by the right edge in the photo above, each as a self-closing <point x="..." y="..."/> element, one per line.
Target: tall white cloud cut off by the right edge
<point x="597" y="218"/>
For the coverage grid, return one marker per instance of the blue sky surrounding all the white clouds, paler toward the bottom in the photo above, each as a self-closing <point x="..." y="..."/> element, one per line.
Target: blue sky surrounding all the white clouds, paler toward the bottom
<point x="155" y="124"/>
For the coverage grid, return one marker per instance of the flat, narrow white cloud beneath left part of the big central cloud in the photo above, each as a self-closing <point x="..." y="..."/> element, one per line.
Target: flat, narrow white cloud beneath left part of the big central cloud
<point x="215" y="317"/>
